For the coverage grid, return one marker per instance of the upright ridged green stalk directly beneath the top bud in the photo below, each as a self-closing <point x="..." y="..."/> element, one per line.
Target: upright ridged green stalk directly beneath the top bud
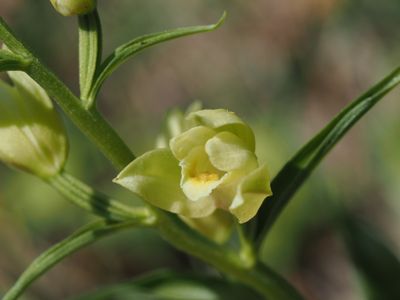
<point x="90" y="49"/>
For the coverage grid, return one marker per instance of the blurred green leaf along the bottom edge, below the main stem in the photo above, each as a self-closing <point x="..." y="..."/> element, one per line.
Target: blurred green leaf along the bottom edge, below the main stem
<point x="169" y="285"/>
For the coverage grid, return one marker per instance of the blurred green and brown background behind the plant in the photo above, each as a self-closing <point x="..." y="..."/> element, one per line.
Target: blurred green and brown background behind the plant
<point x="285" y="67"/>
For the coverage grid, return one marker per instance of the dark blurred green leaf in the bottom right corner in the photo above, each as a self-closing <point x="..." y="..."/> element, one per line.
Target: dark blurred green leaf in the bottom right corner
<point x="378" y="266"/>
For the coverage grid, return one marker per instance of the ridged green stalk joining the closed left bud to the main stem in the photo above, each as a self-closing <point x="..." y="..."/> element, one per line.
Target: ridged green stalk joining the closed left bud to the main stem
<point x="90" y="200"/>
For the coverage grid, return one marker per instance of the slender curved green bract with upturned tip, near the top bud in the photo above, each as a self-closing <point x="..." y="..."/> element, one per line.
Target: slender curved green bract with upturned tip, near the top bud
<point x="126" y="51"/>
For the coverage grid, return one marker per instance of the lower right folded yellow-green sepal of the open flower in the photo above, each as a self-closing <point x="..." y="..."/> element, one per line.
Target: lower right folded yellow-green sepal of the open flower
<point x="250" y="194"/>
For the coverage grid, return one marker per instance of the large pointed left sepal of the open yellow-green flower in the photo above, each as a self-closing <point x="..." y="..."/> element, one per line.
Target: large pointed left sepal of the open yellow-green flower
<point x="155" y="177"/>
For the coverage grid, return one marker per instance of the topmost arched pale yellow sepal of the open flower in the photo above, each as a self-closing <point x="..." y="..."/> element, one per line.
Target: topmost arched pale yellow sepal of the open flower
<point x="223" y="120"/>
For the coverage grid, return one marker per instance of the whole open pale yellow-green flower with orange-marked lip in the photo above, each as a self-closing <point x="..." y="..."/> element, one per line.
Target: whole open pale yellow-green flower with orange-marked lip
<point x="210" y="164"/>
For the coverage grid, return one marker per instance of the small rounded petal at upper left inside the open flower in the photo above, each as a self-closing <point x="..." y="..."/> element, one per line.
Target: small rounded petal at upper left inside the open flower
<point x="182" y="144"/>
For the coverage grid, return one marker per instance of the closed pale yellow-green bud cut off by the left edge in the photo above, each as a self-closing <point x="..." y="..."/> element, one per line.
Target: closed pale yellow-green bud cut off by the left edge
<point x="32" y="136"/>
